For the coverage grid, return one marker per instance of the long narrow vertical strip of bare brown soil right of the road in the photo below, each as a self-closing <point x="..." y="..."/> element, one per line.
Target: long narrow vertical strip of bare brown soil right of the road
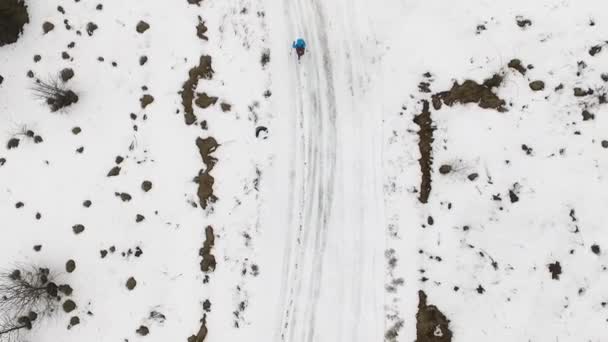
<point x="425" y="136"/>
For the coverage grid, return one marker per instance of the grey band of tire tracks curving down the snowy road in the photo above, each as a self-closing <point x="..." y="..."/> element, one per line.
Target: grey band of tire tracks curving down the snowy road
<point x="317" y="121"/>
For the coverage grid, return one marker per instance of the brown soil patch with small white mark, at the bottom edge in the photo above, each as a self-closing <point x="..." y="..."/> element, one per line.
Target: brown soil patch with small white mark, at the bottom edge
<point x="431" y="324"/>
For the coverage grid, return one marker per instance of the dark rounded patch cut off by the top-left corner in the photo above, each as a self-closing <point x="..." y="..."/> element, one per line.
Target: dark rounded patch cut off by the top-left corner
<point x="13" y="16"/>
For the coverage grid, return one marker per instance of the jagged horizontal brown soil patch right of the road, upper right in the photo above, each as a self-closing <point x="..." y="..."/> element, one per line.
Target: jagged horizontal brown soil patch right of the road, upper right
<point x="472" y="92"/>
